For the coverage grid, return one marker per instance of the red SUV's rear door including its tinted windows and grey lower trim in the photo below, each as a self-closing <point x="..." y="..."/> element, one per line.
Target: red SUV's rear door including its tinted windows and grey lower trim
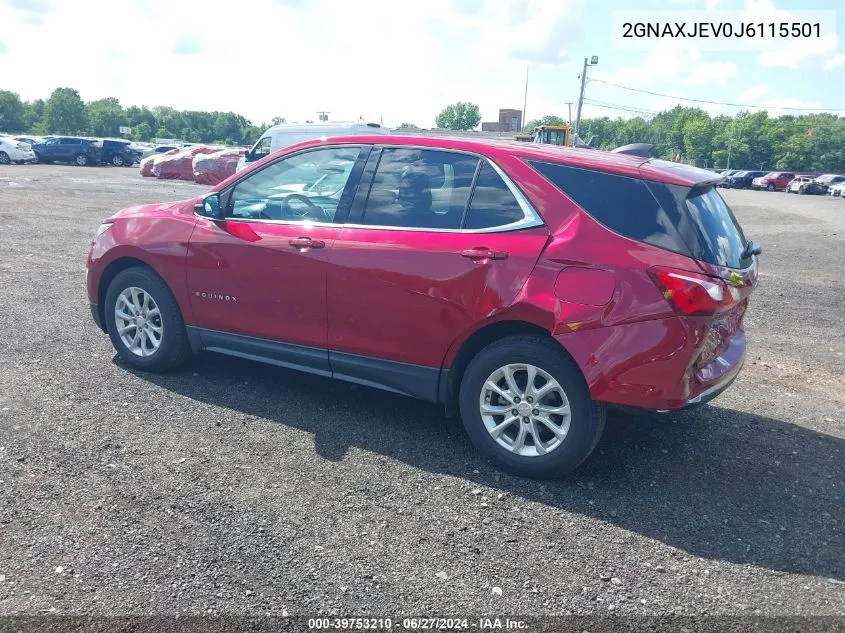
<point x="438" y="241"/>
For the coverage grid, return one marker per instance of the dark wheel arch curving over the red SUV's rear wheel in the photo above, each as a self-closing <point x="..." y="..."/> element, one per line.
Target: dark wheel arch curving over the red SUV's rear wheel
<point x="450" y="378"/>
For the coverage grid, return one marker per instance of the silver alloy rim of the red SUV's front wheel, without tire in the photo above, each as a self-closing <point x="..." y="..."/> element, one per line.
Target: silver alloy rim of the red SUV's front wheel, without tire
<point x="138" y="321"/>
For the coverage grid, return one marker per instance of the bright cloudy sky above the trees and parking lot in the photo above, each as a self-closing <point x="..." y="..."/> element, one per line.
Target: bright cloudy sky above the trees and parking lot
<point x="400" y="60"/>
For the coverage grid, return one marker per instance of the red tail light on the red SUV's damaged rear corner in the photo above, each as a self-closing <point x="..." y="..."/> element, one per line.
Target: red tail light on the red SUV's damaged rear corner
<point x="694" y="294"/>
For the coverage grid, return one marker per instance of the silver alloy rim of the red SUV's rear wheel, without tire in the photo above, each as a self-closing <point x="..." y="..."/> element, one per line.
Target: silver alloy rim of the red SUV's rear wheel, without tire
<point x="525" y="410"/>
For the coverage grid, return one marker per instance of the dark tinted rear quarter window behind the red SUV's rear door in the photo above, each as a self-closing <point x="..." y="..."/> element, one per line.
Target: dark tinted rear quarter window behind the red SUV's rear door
<point x="622" y="204"/>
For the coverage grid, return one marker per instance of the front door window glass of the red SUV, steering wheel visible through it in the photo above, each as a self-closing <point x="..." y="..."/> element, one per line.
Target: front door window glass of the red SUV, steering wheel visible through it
<point x="303" y="187"/>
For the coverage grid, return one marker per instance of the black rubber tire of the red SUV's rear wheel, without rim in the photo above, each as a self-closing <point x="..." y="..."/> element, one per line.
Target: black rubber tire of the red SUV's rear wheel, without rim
<point x="586" y="422"/>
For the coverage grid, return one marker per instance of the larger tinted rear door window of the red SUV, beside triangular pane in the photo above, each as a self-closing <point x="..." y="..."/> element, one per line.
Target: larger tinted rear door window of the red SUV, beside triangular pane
<point x="417" y="188"/>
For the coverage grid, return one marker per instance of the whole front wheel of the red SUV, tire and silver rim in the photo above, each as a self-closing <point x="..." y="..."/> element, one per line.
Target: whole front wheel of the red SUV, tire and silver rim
<point x="144" y="321"/>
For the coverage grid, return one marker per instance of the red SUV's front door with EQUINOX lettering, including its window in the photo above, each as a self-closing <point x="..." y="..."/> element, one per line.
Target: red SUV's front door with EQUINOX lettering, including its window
<point x="261" y="272"/>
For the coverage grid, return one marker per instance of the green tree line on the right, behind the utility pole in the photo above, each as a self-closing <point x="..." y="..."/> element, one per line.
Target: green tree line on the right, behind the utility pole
<point x="806" y="142"/>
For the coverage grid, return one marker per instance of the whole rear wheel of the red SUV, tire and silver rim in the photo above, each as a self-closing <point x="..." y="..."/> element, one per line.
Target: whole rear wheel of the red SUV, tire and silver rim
<point x="524" y="404"/>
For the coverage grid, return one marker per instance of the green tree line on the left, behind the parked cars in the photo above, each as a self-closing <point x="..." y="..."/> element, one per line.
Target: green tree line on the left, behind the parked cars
<point x="64" y="112"/>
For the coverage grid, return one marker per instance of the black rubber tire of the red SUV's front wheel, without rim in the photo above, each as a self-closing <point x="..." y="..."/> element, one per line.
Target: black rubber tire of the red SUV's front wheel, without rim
<point x="173" y="348"/>
